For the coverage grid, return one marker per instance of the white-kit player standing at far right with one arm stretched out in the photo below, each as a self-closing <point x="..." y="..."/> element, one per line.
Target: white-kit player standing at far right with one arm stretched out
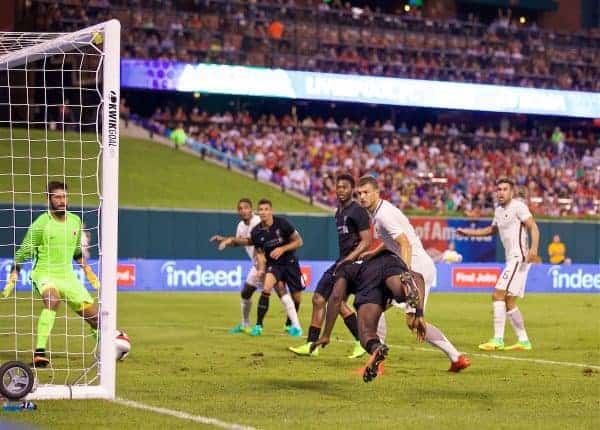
<point x="511" y="217"/>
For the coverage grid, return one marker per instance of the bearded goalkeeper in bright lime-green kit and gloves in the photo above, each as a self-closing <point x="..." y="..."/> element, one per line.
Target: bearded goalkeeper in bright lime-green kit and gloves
<point x="53" y="241"/>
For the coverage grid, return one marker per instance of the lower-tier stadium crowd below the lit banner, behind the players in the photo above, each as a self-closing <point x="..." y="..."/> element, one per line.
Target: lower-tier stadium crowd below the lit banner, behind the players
<point x="437" y="167"/>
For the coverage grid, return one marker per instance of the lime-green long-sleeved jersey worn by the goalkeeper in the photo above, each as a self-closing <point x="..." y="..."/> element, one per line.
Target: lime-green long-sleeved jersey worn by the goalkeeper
<point x="52" y="245"/>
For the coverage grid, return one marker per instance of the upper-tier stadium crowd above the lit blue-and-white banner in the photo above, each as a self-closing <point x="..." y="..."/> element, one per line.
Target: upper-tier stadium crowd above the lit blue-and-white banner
<point x="335" y="37"/>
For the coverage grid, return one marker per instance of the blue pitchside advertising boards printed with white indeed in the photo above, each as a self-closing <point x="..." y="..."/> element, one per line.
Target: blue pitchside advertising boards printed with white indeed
<point x="229" y="275"/>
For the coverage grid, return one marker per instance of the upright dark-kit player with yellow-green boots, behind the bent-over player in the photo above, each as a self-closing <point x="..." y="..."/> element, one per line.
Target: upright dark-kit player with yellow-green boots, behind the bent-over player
<point x="354" y="238"/>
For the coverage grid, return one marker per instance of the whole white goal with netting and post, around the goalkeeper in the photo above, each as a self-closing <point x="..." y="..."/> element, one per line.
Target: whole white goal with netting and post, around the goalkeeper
<point x="59" y="100"/>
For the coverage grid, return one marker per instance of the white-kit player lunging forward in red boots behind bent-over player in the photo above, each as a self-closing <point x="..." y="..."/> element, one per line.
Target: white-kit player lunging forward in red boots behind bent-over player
<point x="398" y="236"/>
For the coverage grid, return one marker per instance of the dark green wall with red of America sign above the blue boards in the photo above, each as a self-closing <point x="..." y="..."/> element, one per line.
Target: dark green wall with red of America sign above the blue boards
<point x="175" y="234"/>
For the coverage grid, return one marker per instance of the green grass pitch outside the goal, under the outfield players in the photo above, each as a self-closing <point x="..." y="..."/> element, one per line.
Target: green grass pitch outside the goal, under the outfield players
<point x="183" y="359"/>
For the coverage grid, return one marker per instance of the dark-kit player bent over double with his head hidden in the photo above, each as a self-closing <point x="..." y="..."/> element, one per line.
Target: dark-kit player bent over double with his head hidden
<point x="374" y="283"/>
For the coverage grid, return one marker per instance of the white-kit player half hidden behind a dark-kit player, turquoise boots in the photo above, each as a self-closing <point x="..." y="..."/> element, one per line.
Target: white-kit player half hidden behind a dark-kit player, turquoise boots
<point x="254" y="279"/>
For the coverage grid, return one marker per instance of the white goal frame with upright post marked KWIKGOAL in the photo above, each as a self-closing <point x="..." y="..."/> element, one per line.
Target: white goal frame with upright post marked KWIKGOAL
<point x="110" y="66"/>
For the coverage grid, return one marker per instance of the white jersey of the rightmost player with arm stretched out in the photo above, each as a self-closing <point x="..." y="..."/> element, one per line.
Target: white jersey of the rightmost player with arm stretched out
<point x="510" y="222"/>
